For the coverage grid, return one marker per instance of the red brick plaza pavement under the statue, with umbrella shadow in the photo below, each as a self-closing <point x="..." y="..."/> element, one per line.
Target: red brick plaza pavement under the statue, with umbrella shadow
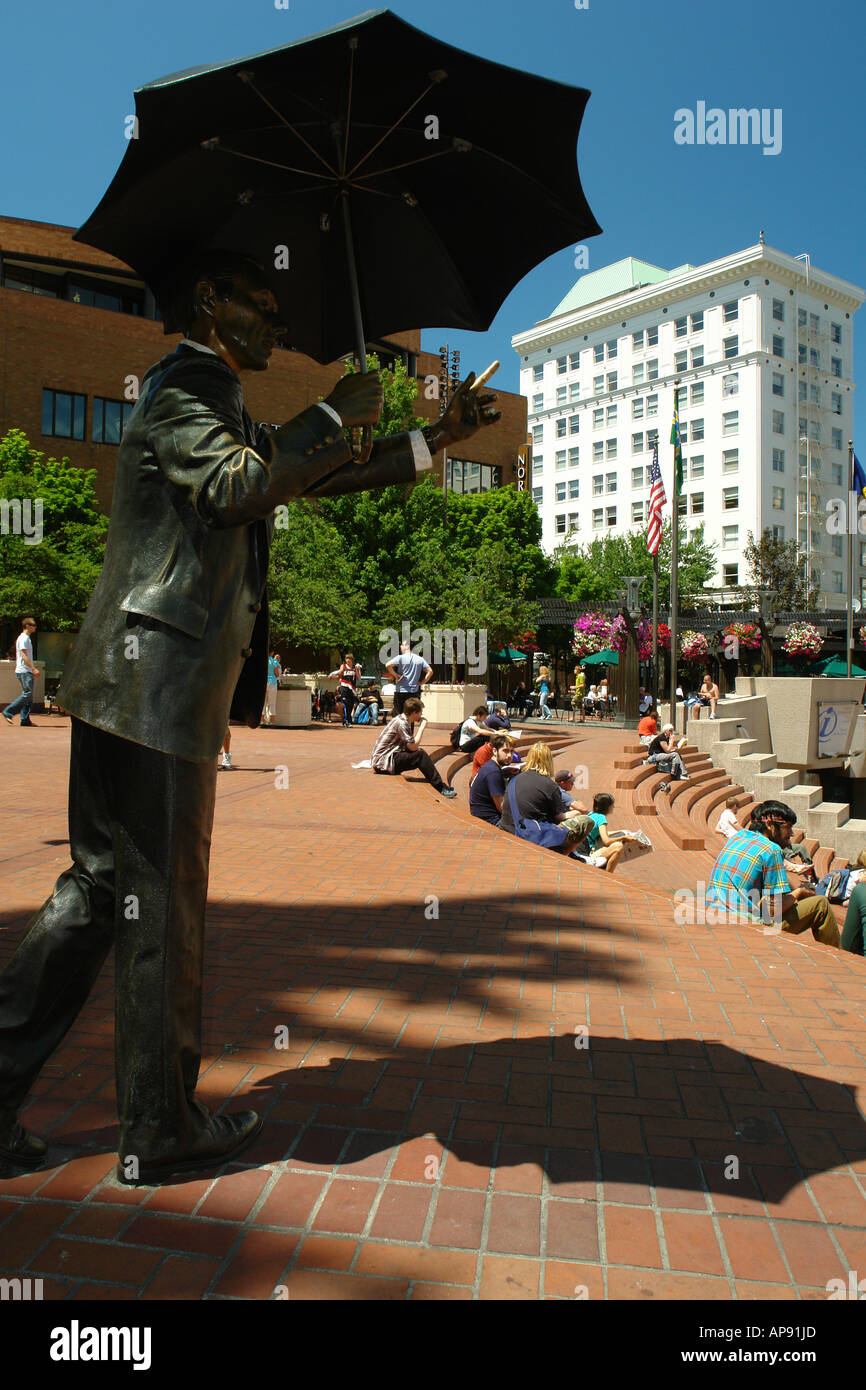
<point x="436" y="1128"/>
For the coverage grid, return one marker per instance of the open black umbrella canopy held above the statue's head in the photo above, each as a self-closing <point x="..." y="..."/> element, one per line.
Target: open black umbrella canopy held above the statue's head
<point x="461" y="176"/>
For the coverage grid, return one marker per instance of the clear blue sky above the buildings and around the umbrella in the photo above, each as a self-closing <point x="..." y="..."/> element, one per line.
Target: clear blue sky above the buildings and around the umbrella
<point x="72" y="70"/>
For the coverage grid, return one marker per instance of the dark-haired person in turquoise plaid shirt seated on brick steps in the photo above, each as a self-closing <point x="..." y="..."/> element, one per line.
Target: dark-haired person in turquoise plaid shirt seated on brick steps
<point x="750" y="879"/>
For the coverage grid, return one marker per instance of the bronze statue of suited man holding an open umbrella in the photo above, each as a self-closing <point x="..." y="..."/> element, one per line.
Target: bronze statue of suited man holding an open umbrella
<point x="176" y="637"/>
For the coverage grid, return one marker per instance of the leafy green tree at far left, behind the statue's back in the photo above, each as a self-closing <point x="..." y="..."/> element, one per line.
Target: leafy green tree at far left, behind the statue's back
<point x="54" y="571"/>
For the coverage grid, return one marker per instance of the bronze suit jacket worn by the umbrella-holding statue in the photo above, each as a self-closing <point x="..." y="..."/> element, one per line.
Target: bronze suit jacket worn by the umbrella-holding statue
<point x="176" y="636"/>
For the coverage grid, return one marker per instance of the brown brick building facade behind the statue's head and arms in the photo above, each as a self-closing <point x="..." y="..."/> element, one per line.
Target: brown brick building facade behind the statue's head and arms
<point x="79" y="329"/>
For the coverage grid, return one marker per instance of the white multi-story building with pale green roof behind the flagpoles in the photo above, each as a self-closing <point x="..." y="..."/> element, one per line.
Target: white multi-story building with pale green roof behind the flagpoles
<point x="761" y="345"/>
